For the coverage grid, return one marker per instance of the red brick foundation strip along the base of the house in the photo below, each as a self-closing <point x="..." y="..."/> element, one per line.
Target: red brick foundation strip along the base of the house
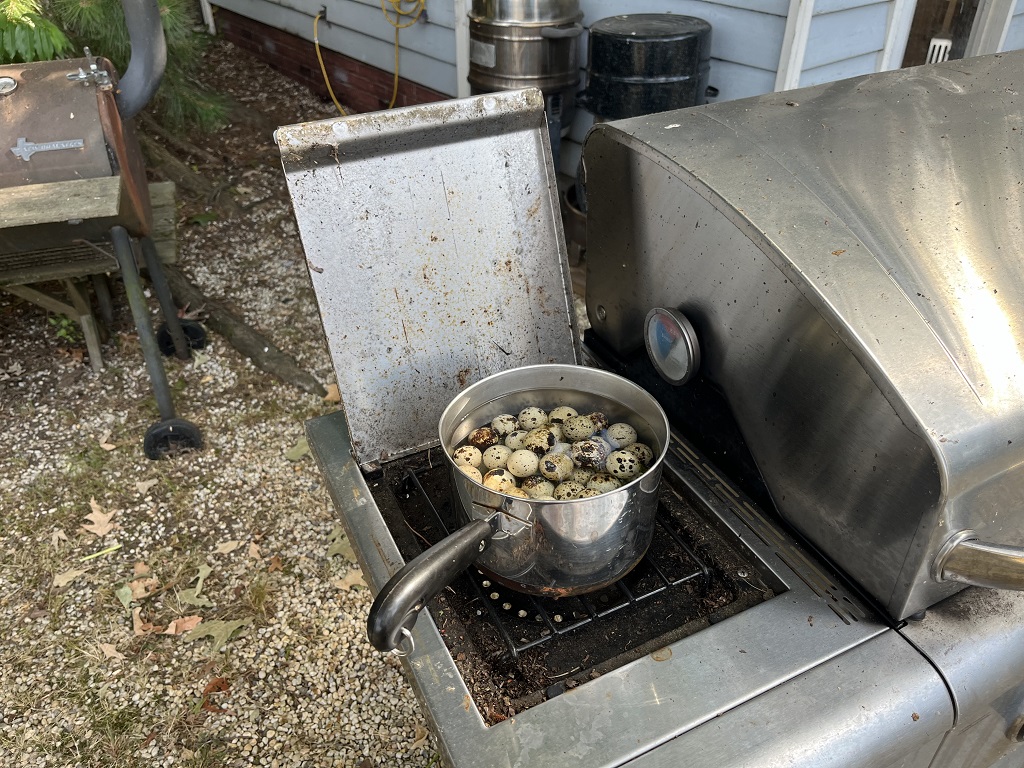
<point x="358" y="86"/>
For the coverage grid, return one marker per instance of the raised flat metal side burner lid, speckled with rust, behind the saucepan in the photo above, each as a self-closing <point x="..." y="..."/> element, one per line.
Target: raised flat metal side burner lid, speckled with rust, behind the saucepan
<point x="435" y="244"/>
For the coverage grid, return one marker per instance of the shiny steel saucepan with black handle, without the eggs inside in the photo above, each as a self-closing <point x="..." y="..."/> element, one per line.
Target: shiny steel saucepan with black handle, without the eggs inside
<point x="548" y="548"/>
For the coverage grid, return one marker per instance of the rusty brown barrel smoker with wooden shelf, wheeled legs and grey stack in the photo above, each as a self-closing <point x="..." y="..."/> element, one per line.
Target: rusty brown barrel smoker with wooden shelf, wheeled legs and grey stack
<point x="73" y="178"/>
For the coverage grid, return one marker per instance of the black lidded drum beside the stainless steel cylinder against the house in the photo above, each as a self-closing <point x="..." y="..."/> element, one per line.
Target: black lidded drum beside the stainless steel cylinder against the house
<point x="647" y="63"/>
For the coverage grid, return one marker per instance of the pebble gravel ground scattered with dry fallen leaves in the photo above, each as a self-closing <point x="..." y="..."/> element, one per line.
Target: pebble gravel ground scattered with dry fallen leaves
<point x="108" y="560"/>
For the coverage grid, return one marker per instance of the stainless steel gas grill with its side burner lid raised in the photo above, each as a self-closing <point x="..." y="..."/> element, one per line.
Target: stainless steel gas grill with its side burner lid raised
<point x="799" y="605"/>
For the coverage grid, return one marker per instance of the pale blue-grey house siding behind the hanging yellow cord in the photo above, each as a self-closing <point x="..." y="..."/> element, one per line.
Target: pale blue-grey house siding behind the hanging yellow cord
<point x="358" y="29"/>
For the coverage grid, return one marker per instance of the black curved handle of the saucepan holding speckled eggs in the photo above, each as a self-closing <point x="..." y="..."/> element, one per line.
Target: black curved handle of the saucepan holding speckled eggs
<point x="399" y="605"/>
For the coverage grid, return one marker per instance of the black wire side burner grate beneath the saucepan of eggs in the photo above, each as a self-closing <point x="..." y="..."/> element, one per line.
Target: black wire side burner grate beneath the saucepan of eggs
<point x="524" y="621"/>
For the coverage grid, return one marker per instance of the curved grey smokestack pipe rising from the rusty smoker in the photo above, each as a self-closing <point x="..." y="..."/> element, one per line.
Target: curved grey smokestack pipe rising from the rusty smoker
<point x="149" y="57"/>
